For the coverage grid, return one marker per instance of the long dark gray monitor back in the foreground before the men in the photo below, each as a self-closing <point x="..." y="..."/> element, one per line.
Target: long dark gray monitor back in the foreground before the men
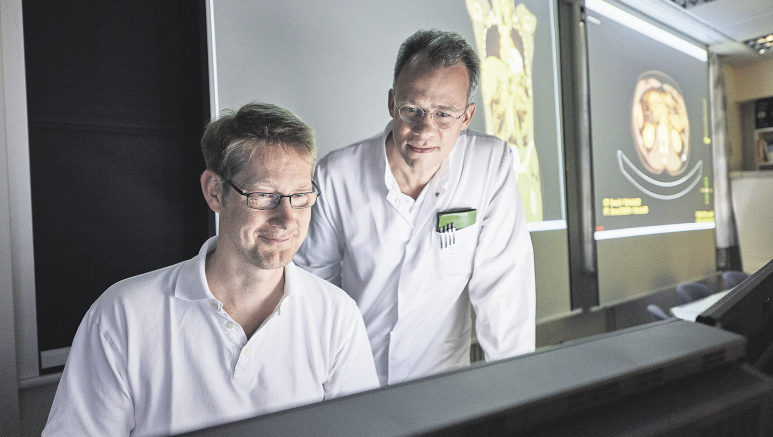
<point x="667" y="378"/>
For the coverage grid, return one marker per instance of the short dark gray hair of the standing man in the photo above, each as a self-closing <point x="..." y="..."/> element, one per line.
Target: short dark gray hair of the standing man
<point x="442" y="49"/>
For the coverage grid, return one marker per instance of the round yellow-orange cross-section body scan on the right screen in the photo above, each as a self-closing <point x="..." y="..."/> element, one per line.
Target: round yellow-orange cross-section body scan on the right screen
<point x="661" y="129"/>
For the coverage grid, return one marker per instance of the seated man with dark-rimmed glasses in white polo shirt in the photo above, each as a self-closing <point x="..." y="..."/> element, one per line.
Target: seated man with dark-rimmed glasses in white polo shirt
<point x="234" y="332"/>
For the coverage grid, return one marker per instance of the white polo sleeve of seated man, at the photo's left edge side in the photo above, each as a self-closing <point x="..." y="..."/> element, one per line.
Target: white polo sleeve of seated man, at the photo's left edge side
<point x="92" y="398"/>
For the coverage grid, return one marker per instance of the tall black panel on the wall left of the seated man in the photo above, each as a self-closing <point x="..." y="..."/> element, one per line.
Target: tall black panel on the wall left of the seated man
<point x="117" y="101"/>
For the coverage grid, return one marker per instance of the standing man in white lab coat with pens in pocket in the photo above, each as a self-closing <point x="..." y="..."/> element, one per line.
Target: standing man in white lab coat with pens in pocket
<point x="424" y="220"/>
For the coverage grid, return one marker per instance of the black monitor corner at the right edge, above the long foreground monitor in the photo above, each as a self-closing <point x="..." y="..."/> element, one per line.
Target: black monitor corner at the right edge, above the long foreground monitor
<point x="748" y="310"/>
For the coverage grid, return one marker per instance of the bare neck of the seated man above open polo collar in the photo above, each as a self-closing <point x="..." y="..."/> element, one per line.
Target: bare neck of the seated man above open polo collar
<point x="249" y="294"/>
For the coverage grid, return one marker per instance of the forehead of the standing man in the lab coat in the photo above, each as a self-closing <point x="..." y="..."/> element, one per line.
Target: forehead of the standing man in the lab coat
<point x="442" y="85"/>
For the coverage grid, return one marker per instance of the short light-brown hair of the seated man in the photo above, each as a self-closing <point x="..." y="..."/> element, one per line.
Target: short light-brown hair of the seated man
<point x="230" y="141"/>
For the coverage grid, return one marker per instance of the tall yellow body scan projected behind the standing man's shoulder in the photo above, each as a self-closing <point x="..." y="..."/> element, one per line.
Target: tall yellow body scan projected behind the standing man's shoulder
<point x="504" y="35"/>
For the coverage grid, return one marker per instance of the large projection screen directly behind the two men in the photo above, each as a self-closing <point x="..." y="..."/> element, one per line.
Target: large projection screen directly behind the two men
<point x="320" y="61"/>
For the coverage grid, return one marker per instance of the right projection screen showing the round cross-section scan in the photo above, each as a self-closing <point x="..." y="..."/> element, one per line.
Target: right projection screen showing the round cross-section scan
<point x="650" y="128"/>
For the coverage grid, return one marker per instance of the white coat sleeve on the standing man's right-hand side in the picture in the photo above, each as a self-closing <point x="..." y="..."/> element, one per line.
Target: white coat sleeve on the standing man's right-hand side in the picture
<point x="502" y="286"/>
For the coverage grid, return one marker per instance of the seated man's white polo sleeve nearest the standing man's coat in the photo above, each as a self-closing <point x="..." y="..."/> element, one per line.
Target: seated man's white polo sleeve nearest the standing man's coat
<point x="353" y="369"/>
